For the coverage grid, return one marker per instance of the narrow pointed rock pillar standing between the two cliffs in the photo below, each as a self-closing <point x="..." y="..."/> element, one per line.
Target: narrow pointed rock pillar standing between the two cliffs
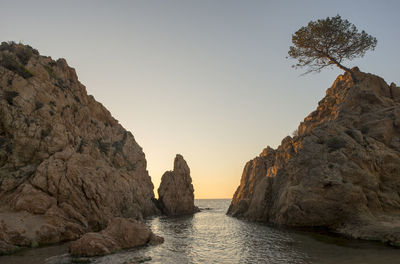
<point x="176" y="193"/>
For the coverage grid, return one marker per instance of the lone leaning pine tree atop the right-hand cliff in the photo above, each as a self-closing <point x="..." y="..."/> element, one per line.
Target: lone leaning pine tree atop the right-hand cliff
<point x="328" y="42"/>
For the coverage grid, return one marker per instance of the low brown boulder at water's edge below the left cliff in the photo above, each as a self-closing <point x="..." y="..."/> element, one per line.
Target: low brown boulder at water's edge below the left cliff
<point x="121" y="233"/>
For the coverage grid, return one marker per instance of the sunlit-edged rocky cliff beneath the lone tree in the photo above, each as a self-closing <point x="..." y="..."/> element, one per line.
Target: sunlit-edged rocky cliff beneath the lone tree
<point x="342" y="170"/>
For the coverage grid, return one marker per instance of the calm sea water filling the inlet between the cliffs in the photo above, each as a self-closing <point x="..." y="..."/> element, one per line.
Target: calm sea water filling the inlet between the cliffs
<point x="212" y="237"/>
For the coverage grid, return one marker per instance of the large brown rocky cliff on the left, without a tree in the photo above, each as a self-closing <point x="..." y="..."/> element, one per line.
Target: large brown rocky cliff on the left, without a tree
<point x="66" y="165"/>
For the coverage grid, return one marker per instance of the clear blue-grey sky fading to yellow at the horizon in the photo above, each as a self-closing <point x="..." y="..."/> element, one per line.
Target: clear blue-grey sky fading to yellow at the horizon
<point x="207" y="79"/>
